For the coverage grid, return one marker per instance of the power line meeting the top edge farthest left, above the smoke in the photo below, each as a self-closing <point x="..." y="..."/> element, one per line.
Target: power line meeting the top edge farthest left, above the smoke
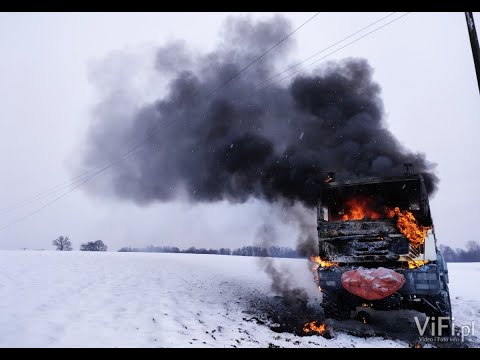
<point x="75" y="179"/>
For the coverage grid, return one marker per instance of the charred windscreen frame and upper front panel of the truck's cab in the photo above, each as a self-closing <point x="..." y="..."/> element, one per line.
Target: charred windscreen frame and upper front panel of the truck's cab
<point x="366" y="241"/>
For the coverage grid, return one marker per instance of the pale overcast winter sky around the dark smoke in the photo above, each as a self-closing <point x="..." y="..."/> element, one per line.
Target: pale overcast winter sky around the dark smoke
<point x="48" y="89"/>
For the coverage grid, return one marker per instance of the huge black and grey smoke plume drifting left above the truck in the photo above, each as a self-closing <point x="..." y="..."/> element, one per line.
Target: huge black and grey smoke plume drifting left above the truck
<point x="276" y="145"/>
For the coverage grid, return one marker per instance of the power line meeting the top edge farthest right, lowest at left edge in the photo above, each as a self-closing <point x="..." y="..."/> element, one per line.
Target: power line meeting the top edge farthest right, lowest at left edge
<point x="169" y="123"/>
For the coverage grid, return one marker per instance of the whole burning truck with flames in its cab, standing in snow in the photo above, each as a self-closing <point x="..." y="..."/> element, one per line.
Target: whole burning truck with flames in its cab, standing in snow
<point x="377" y="248"/>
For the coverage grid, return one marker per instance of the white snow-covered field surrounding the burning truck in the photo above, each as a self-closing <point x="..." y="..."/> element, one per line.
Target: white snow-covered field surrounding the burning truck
<point x="90" y="299"/>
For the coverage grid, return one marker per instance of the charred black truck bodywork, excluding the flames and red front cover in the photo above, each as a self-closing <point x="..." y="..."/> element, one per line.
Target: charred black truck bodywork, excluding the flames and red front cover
<point x="353" y="244"/>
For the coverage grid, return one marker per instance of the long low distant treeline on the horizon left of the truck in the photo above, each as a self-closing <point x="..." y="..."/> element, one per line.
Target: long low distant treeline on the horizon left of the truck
<point x="272" y="251"/>
